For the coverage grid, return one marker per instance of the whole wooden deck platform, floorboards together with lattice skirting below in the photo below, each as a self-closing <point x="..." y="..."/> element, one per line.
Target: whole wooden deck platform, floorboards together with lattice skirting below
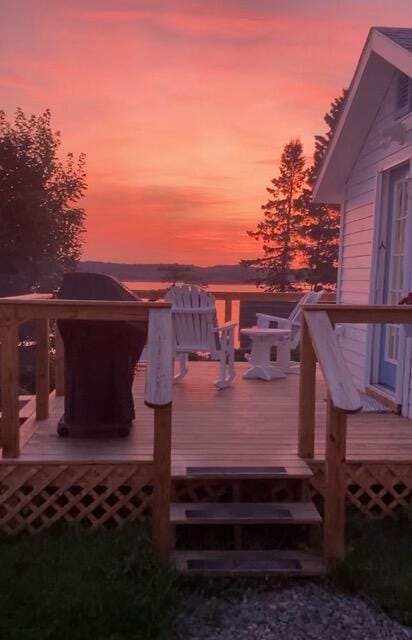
<point x="107" y="481"/>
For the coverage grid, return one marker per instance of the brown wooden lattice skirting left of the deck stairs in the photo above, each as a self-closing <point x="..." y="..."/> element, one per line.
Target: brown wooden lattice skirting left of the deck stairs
<point x="34" y="497"/>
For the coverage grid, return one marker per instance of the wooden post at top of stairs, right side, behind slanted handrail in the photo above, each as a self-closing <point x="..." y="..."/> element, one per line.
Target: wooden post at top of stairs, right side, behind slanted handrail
<point x="307" y="394"/>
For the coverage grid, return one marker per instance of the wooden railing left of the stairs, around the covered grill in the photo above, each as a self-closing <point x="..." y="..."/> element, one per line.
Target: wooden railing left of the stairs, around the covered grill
<point x="159" y="377"/>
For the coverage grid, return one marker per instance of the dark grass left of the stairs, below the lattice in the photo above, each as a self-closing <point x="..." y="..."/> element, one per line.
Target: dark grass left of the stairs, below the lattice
<point x="70" y="584"/>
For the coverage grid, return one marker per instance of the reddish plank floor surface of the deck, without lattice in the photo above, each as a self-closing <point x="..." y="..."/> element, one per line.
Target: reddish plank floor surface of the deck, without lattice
<point x="251" y="423"/>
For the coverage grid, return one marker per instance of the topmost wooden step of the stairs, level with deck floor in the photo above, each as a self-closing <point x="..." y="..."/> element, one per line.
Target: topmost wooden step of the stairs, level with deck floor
<point x="296" y="469"/>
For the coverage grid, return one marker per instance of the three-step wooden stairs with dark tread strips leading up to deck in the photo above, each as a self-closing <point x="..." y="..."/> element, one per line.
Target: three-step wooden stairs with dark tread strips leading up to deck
<point x="300" y="513"/>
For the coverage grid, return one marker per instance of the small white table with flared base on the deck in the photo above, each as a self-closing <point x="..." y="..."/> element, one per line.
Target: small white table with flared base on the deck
<point x="262" y="341"/>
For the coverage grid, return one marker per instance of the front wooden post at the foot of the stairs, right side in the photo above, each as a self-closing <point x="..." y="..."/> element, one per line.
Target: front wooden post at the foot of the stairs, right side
<point x="335" y="485"/>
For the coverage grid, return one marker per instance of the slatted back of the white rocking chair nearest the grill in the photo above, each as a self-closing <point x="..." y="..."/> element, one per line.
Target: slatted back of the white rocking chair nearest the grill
<point x="194" y="318"/>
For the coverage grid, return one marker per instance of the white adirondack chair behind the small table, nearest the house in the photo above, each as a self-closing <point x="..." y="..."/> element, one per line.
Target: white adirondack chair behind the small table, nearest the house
<point x="285" y="345"/>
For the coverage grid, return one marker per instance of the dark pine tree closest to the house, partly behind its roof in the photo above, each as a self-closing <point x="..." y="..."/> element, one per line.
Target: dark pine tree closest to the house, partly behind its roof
<point x="320" y="229"/>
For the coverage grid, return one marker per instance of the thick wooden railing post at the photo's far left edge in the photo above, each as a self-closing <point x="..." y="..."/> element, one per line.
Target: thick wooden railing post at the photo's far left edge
<point x="9" y="358"/>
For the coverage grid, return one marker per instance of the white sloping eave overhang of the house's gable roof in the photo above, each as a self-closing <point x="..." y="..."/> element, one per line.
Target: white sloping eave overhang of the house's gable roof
<point x="385" y="50"/>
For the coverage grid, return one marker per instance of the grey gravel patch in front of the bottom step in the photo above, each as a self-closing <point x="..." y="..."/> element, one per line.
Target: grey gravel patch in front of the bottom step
<point x="300" y="611"/>
